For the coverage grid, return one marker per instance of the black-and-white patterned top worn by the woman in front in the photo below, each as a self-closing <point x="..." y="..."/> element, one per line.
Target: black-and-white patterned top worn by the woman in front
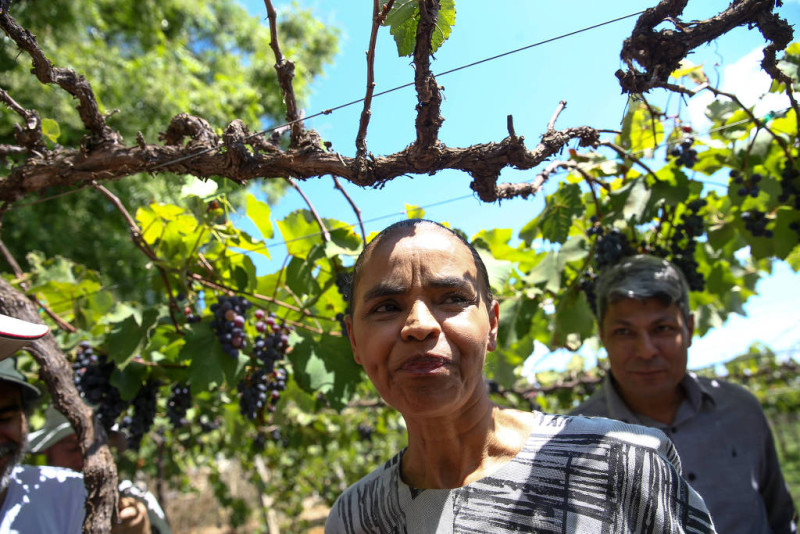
<point x="574" y="475"/>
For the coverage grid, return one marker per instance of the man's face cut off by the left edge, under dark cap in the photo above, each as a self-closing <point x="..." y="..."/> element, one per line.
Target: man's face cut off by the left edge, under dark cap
<point x="13" y="431"/>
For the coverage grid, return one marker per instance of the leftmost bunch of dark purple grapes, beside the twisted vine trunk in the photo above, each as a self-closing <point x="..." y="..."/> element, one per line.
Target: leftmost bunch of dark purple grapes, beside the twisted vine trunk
<point x="92" y="376"/>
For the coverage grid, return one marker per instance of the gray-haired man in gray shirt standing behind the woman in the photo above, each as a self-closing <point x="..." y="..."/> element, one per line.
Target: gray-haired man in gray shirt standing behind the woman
<point x="719" y="429"/>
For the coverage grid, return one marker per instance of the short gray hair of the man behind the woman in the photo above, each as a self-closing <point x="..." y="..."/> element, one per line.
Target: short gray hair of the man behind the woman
<point x="642" y="277"/>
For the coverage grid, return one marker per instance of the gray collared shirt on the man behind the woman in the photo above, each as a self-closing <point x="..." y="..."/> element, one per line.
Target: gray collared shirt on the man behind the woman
<point x="726" y="449"/>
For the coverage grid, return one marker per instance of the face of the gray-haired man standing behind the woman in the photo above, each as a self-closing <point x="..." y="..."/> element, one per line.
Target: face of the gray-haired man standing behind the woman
<point x="647" y="344"/>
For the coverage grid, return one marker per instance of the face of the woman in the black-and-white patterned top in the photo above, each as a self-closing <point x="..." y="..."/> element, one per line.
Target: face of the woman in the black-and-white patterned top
<point x="419" y="326"/>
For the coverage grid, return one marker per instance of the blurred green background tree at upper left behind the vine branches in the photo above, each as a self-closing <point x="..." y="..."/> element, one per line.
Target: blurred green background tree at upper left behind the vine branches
<point x="147" y="62"/>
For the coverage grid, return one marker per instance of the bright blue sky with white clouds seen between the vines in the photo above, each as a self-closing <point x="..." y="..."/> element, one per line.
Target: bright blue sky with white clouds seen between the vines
<point x="528" y="85"/>
